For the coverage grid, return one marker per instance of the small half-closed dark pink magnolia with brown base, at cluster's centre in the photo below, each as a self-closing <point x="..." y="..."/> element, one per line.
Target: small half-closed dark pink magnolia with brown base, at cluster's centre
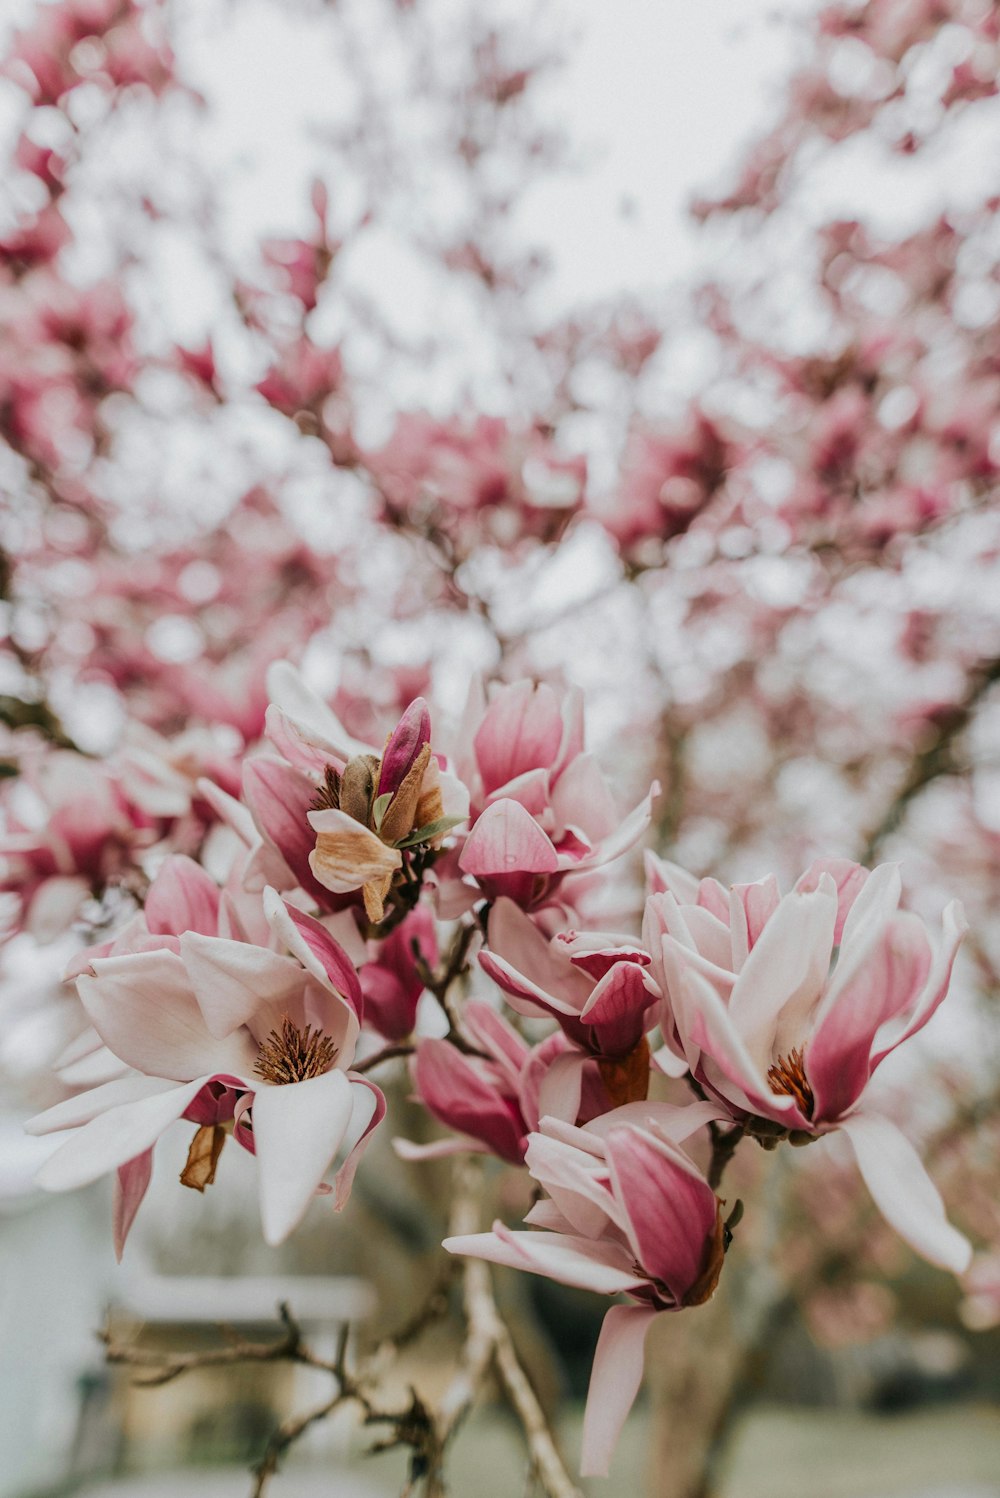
<point x="591" y="983"/>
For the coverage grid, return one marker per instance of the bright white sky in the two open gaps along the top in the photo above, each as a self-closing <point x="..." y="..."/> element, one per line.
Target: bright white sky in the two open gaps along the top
<point x="659" y="97"/>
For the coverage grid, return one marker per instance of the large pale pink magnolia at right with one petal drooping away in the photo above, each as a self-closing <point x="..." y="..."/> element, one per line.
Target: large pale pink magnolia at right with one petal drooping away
<point x="787" y="1037"/>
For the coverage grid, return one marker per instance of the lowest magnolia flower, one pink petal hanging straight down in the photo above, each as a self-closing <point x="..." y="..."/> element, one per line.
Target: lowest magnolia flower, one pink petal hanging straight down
<point x="628" y="1213"/>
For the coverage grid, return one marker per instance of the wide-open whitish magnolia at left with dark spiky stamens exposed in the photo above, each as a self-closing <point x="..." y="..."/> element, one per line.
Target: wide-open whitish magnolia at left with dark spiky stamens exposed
<point x="225" y="1034"/>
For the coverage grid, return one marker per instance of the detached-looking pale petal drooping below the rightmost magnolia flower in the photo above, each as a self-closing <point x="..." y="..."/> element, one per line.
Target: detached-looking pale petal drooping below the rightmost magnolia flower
<point x="903" y="1193"/>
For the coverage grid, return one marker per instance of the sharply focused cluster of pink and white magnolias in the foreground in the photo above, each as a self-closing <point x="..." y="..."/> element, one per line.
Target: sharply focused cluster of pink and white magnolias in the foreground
<point x="240" y="1009"/>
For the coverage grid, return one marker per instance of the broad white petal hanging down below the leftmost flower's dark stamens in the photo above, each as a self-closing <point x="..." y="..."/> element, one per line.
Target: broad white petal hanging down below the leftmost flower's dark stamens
<point x="297" y="1133"/>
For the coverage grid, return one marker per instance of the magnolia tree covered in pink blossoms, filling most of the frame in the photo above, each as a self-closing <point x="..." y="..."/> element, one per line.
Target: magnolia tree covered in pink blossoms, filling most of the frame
<point x="302" y="765"/>
